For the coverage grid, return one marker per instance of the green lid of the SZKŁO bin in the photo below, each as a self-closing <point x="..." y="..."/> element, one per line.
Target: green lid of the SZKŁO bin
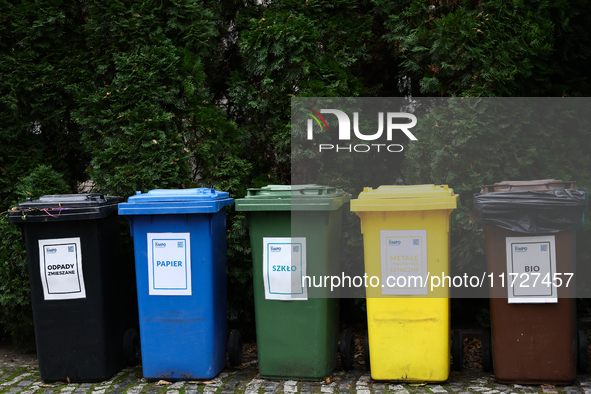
<point x="293" y="198"/>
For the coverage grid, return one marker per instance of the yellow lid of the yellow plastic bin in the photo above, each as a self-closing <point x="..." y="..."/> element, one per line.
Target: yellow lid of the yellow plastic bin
<point x="405" y="198"/>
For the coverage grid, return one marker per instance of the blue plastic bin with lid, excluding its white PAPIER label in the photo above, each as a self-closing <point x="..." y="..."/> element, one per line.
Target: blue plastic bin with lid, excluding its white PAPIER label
<point x="182" y="336"/>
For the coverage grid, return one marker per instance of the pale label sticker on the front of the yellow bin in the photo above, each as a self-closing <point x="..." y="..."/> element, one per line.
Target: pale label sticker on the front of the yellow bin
<point x="404" y="261"/>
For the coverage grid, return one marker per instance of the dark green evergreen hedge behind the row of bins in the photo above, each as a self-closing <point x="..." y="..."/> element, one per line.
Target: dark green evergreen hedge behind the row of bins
<point x="133" y="95"/>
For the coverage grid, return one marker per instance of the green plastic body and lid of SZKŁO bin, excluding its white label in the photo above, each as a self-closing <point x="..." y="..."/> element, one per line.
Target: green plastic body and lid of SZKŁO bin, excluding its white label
<point x="295" y="339"/>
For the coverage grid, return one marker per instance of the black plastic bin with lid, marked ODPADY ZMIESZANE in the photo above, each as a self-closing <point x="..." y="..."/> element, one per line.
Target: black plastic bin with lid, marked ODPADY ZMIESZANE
<point x="80" y="339"/>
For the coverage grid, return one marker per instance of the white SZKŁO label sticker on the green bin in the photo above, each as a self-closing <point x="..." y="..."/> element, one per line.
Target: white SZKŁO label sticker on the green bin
<point x="284" y="268"/>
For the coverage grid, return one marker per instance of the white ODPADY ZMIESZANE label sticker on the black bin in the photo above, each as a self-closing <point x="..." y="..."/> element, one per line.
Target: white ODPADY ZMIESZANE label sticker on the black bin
<point x="60" y="264"/>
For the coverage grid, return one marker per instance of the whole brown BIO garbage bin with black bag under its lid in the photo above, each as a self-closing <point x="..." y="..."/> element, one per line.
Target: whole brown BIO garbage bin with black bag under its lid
<point x="533" y="337"/>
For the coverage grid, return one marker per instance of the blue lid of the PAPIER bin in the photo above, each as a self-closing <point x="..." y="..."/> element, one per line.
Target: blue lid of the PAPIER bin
<point x="175" y="201"/>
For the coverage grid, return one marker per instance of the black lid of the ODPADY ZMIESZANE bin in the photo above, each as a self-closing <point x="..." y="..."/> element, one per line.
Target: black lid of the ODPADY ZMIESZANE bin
<point x="64" y="207"/>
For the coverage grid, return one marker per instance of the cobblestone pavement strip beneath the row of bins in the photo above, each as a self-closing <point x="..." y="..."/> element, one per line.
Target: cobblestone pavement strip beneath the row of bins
<point x="23" y="377"/>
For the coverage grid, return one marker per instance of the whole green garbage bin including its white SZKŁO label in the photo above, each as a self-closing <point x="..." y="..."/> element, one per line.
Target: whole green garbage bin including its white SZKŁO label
<point x="295" y="231"/>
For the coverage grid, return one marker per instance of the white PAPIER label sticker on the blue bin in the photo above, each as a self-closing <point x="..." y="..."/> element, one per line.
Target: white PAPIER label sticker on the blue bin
<point x="169" y="264"/>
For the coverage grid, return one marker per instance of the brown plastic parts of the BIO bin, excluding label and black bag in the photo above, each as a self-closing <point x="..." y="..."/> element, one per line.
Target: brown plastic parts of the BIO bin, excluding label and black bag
<point x="532" y="343"/>
